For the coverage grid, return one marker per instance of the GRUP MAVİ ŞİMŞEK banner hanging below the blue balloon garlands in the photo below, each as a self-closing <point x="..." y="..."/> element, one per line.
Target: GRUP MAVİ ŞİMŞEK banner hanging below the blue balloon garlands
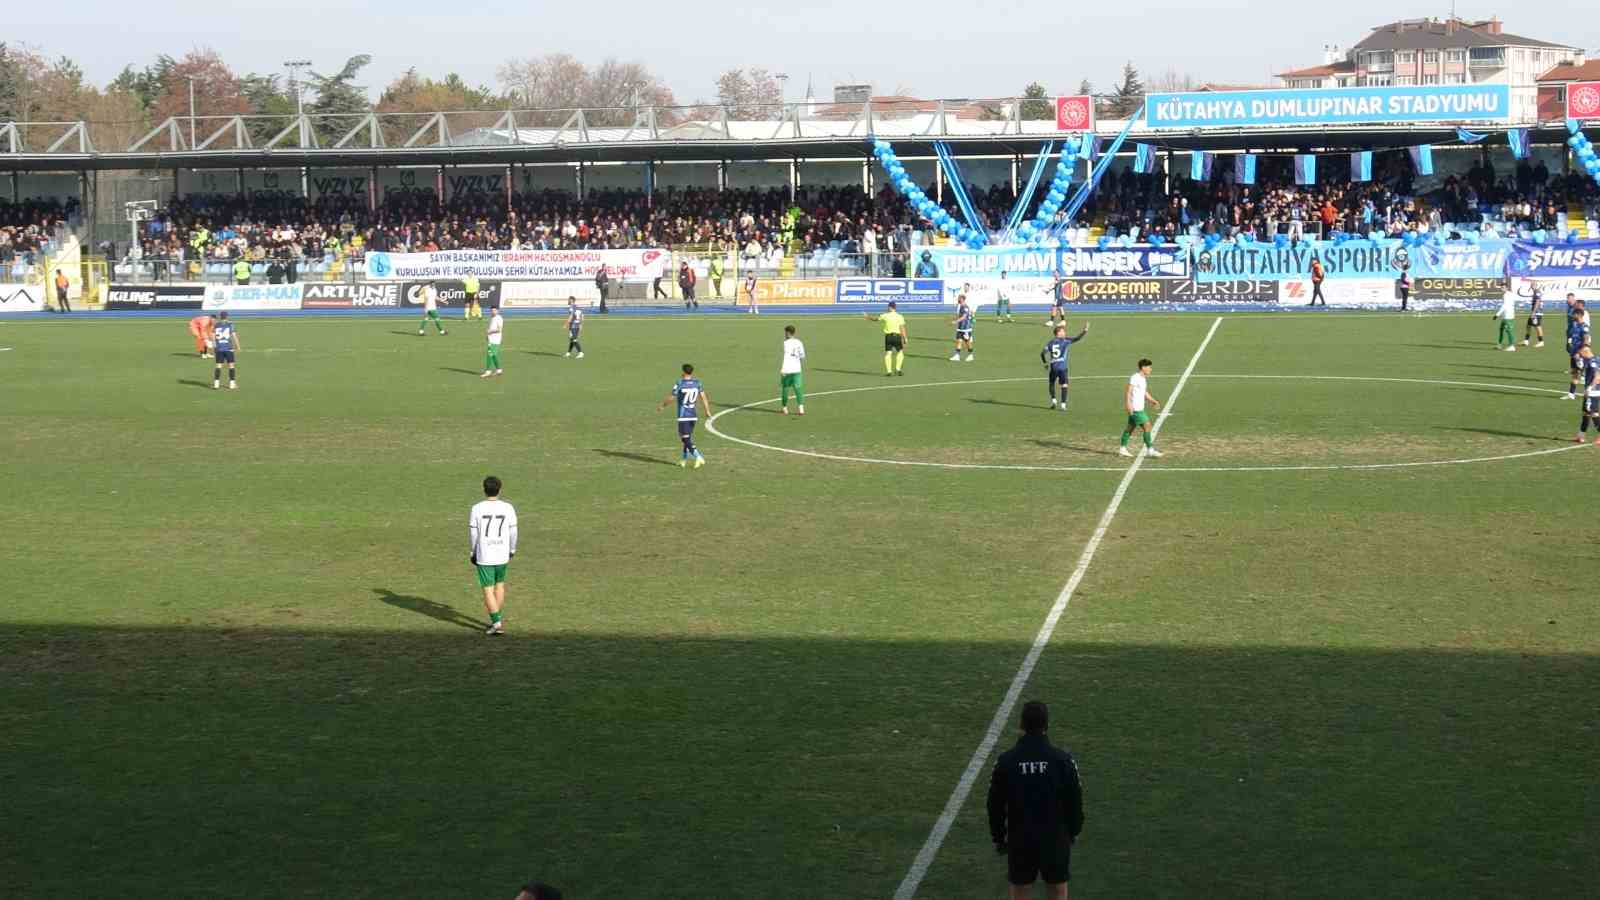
<point x="959" y="263"/>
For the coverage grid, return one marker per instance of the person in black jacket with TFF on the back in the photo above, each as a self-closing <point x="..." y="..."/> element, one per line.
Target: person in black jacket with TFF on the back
<point x="1036" y="808"/>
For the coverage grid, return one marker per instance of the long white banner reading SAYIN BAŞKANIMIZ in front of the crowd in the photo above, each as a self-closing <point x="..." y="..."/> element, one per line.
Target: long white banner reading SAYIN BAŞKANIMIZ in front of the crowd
<point x="550" y="265"/>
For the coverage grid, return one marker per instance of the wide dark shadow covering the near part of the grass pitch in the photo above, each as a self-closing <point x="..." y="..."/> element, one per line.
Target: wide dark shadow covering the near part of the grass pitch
<point x="193" y="760"/>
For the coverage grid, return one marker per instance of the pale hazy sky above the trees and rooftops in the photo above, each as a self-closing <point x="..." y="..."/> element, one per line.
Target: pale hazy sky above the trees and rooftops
<point x="934" y="49"/>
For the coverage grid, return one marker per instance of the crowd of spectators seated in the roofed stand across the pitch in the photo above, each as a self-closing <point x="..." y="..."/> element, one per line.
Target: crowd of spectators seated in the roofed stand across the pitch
<point x="766" y="225"/>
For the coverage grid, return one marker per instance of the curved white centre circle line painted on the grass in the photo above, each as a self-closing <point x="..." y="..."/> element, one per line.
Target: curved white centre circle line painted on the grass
<point x="711" y="427"/>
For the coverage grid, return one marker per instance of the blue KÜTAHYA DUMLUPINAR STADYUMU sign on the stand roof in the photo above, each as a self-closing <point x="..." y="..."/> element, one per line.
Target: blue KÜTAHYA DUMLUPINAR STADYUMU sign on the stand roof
<point x="1330" y="106"/>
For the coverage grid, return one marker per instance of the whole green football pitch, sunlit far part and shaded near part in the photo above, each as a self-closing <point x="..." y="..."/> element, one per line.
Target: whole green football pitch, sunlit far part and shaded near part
<point x="1342" y="640"/>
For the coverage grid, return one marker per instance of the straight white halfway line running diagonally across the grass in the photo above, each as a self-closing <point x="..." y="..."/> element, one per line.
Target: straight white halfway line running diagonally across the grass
<point x="953" y="808"/>
